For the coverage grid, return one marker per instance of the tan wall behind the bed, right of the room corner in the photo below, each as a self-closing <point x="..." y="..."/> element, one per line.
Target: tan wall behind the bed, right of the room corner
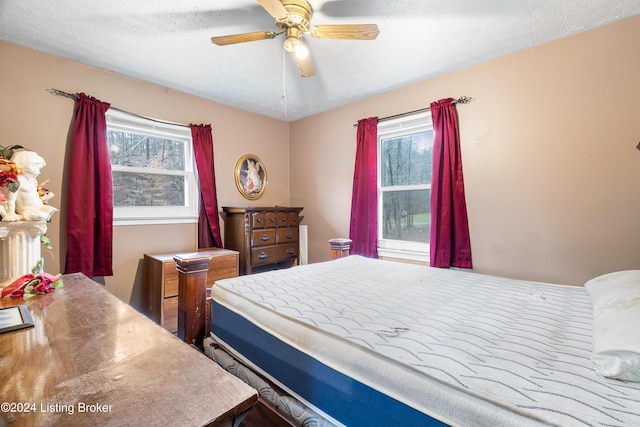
<point x="548" y="145"/>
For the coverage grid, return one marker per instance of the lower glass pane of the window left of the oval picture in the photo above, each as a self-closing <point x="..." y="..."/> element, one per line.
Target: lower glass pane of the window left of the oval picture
<point x="143" y="189"/>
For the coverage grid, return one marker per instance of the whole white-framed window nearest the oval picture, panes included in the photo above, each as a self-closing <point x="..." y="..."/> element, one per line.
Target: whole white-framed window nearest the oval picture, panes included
<point x="152" y="164"/>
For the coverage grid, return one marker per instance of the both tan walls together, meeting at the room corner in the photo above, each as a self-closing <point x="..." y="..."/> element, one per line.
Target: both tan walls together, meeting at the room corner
<point x="548" y="150"/>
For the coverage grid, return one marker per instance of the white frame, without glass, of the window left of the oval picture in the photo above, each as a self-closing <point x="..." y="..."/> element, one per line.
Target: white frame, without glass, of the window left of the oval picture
<point x="149" y="215"/>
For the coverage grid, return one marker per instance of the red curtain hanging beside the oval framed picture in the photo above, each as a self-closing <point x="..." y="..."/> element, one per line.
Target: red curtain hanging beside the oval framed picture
<point x="208" y="222"/>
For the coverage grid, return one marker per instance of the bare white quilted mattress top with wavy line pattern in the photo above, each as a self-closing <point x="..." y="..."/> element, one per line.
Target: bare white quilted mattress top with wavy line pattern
<point x="464" y="348"/>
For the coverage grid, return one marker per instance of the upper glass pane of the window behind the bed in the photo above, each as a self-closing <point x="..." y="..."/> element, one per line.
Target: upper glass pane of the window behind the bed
<point x="406" y="160"/>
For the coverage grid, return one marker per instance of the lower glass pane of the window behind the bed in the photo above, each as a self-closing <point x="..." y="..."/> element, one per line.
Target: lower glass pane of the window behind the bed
<point x="406" y="215"/>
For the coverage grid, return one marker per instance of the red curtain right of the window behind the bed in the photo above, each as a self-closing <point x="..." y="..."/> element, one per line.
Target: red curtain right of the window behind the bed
<point x="450" y="243"/>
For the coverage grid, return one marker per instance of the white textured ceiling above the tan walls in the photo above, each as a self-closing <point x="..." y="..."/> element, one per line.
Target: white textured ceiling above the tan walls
<point x="167" y="42"/>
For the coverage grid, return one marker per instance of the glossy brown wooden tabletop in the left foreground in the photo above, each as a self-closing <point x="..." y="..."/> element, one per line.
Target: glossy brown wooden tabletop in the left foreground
<point x="93" y="360"/>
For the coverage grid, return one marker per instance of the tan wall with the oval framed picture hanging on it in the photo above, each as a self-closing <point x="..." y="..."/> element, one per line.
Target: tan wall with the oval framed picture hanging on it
<point x="32" y="117"/>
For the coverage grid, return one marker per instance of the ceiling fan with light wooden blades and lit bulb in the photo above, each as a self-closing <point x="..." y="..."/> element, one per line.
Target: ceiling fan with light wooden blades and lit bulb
<point x="293" y="19"/>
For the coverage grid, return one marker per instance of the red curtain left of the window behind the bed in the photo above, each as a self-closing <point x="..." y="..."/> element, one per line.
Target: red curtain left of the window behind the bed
<point x="363" y="229"/>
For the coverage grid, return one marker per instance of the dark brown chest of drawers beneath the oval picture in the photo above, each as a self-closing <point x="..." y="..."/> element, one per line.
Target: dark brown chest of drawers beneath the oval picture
<point x="267" y="238"/>
